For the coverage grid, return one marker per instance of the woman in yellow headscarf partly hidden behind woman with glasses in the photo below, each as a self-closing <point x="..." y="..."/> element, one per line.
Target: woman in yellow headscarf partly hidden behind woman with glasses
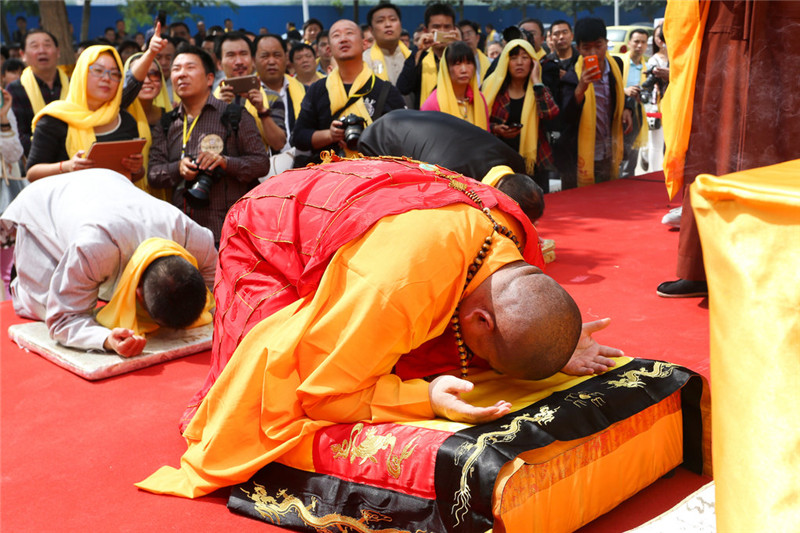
<point x="147" y="109"/>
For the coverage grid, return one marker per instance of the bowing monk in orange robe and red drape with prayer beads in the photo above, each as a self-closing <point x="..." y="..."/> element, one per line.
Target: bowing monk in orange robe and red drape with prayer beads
<point x="381" y="263"/>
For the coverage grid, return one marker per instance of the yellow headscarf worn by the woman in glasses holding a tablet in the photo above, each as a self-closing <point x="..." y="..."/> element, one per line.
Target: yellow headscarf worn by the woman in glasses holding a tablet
<point x="75" y="111"/>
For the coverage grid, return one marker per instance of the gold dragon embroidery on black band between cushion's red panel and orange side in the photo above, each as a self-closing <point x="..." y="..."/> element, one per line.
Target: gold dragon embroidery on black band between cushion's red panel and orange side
<point x="507" y="433"/>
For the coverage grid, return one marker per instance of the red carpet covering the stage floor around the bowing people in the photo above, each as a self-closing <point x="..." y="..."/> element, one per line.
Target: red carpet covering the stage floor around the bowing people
<point x="70" y="450"/>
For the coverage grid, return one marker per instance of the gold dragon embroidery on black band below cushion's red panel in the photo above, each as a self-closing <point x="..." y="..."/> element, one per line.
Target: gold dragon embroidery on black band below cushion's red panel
<point x="269" y="507"/>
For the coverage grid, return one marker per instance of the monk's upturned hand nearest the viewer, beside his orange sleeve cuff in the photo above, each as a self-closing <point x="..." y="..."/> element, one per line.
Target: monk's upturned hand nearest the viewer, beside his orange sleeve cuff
<point x="445" y="395"/>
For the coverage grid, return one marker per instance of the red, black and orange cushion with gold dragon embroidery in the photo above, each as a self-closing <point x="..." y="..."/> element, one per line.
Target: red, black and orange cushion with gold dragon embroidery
<point x="571" y="449"/>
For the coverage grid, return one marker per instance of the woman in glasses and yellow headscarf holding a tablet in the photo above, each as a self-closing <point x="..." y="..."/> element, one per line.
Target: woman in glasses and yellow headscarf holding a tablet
<point x="93" y="111"/>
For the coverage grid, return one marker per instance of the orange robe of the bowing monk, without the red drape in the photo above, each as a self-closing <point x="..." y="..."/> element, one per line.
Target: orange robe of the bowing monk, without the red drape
<point x="328" y="358"/>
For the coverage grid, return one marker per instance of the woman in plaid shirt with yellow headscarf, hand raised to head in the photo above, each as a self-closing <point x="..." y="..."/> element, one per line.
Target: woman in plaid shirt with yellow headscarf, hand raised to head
<point x="517" y="100"/>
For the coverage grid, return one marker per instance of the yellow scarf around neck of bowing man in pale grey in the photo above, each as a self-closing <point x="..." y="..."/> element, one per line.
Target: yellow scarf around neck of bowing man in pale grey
<point x="123" y="311"/>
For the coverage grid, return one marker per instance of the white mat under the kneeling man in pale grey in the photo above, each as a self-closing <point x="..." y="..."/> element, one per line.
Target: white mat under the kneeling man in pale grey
<point x="163" y="345"/>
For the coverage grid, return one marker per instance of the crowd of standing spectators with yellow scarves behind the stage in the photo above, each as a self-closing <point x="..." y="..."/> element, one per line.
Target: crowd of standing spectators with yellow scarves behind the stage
<point x="219" y="106"/>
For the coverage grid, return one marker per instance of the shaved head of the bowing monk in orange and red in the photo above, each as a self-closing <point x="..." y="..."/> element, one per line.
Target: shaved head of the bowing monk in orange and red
<point x="522" y="321"/>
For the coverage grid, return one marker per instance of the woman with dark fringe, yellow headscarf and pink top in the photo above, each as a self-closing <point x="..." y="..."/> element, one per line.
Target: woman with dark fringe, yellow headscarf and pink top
<point x="456" y="90"/>
